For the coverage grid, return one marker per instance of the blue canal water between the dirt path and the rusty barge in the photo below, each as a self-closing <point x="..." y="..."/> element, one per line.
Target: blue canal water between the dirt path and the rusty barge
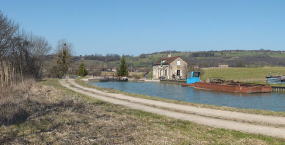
<point x="263" y="101"/>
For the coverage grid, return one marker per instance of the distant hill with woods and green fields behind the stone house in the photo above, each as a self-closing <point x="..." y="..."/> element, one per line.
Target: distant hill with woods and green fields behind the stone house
<point x="204" y="59"/>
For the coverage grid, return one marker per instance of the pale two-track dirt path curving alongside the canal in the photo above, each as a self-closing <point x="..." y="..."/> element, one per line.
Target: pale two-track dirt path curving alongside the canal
<point x="258" y="124"/>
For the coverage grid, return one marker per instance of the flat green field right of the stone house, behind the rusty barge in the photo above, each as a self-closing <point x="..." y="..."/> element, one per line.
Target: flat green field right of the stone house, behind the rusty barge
<point x="241" y="74"/>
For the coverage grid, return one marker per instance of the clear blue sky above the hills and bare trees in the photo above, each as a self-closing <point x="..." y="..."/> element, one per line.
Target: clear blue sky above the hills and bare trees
<point x="134" y="27"/>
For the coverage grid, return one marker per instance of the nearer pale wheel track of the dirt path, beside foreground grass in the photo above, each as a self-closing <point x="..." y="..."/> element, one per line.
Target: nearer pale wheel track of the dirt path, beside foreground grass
<point x="217" y="123"/>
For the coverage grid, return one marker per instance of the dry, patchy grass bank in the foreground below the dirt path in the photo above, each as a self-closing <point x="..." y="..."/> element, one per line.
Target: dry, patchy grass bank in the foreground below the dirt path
<point x="55" y="115"/>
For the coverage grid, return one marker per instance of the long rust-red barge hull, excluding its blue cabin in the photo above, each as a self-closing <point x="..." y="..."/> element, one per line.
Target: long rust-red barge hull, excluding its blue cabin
<point x="237" y="88"/>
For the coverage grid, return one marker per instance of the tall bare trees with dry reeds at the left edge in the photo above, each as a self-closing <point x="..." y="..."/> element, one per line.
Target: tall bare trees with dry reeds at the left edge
<point x="21" y="53"/>
